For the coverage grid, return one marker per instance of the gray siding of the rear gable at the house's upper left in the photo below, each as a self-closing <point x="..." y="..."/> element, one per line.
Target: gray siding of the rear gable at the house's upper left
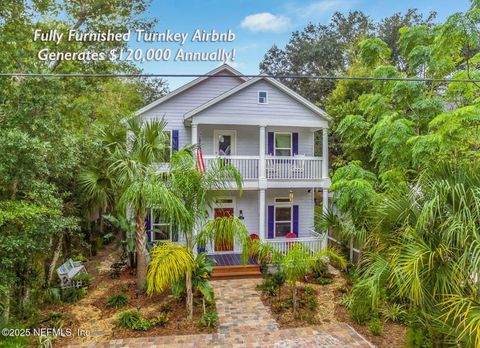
<point x="174" y="109"/>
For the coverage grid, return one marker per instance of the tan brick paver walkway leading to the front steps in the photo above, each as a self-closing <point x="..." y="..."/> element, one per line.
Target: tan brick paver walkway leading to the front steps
<point x="245" y="322"/>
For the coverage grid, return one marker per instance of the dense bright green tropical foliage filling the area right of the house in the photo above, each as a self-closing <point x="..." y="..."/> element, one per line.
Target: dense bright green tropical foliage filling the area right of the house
<point x="406" y="181"/>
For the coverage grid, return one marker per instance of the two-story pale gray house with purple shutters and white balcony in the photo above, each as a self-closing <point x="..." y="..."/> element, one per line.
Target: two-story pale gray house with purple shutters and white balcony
<point x="267" y="131"/>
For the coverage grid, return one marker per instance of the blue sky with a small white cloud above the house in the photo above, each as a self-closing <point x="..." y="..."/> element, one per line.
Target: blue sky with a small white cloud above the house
<point x="260" y="24"/>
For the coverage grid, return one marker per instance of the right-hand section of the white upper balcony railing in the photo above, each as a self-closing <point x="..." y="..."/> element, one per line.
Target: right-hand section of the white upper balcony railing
<point x="293" y="168"/>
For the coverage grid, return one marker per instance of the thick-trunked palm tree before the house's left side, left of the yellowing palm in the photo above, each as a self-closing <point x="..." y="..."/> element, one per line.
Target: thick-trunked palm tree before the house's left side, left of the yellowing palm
<point x="134" y="165"/>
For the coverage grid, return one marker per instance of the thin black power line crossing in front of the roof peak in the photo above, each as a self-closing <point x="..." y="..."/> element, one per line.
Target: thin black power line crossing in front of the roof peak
<point x="304" y="77"/>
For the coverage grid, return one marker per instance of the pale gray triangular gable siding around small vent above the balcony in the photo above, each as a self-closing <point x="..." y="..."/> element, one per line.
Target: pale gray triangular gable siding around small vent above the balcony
<point x="244" y="104"/>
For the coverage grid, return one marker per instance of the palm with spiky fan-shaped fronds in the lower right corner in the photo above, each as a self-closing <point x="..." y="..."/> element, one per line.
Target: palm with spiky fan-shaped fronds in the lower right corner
<point x="423" y="249"/>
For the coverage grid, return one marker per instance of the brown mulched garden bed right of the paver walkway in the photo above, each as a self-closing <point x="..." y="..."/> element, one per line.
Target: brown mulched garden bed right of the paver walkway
<point x="327" y="309"/>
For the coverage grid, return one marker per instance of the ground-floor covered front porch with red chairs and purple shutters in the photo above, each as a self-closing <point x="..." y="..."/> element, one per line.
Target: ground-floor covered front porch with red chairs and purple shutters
<point x="272" y="216"/>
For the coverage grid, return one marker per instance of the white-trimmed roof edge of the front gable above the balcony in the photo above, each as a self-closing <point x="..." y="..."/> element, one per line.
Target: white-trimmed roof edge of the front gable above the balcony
<point x="250" y="82"/>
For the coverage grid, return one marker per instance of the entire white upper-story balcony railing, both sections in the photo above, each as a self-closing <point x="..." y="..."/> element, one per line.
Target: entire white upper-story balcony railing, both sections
<point x="276" y="167"/>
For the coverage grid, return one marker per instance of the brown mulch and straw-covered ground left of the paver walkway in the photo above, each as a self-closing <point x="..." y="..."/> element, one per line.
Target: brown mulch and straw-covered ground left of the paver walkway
<point x="92" y="313"/>
